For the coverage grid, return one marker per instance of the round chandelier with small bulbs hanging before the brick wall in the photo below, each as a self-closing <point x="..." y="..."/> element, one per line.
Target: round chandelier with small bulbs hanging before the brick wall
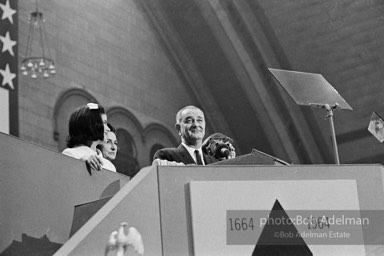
<point x="42" y="63"/>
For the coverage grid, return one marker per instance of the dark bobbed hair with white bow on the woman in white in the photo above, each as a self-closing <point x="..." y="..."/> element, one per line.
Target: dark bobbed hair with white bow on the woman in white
<point x="85" y="124"/>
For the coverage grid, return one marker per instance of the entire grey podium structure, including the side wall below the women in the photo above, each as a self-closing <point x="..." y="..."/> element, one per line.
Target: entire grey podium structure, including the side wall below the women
<point x="184" y="210"/>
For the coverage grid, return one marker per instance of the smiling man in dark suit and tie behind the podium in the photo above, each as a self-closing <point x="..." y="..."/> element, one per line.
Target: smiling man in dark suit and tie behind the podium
<point x="190" y="124"/>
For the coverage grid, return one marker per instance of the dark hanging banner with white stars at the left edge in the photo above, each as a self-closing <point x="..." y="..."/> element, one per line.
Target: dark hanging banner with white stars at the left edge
<point x="8" y="67"/>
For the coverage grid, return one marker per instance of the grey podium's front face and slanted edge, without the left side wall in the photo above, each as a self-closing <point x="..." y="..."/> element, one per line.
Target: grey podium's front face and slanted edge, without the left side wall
<point x="183" y="210"/>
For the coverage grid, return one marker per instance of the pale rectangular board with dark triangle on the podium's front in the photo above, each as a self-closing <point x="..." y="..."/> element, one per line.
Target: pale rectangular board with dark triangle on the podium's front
<point x="216" y="234"/>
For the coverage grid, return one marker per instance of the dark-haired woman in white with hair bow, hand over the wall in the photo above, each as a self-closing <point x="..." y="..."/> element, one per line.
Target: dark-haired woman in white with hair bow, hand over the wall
<point x="87" y="127"/>
